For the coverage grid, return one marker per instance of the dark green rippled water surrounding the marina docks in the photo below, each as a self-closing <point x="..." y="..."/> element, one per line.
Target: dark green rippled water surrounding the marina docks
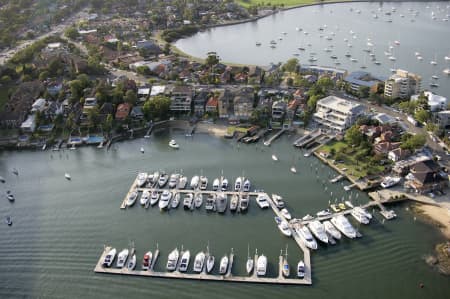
<point x="60" y="227"/>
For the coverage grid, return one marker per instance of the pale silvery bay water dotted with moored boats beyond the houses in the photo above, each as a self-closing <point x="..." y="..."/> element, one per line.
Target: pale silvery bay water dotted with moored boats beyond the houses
<point x="415" y="33"/>
